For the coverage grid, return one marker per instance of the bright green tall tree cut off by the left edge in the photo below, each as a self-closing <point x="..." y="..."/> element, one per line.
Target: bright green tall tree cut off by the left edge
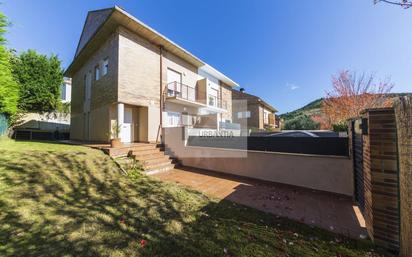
<point x="9" y="89"/>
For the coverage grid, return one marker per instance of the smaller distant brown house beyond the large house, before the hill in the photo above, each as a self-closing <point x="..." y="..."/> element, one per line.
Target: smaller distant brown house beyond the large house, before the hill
<point x="252" y="112"/>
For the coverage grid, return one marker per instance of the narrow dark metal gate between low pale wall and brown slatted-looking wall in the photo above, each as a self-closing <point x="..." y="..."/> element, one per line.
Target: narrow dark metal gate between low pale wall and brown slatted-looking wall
<point x="358" y="163"/>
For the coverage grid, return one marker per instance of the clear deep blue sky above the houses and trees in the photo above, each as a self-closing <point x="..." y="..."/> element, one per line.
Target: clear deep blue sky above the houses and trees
<point x="283" y="51"/>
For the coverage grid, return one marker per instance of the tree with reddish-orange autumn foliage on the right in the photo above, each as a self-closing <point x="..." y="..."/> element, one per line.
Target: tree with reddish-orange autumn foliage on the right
<point x="352" y="94"/>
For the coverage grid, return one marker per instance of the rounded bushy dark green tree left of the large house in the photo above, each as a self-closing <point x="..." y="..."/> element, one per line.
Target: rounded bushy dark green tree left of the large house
<point x="40" y="78"/>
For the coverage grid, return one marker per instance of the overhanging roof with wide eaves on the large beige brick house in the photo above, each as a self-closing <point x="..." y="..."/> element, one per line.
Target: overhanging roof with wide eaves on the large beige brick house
<point x="102" y="23"/>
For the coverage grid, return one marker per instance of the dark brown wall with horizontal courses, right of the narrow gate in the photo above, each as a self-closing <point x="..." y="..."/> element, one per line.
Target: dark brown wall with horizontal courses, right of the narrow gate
<point x="381" y="178"/>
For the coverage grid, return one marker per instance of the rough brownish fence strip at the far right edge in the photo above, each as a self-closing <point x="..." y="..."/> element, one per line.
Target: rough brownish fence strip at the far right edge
<point x="403" y="112"/>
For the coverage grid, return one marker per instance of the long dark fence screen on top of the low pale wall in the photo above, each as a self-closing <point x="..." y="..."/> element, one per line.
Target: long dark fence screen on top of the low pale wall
<point x="336" y="146"/>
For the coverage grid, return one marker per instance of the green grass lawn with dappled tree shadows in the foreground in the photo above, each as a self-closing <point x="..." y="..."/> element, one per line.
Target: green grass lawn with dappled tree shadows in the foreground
<point x="62" y="200"/>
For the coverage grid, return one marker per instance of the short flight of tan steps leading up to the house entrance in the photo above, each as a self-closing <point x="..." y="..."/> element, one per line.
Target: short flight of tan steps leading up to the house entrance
<point x="152" y="158"/>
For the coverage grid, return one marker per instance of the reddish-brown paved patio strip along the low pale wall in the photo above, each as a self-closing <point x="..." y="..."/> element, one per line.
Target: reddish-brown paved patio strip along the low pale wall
<point x="326" y="210"/>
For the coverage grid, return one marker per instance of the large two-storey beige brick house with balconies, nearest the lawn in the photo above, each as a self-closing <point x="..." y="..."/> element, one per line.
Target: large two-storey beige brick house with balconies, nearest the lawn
<point x="126" y="73"/>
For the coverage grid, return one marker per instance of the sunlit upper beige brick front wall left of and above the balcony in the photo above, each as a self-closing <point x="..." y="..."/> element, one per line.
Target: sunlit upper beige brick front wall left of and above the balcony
<point x="139" y="70"/>
